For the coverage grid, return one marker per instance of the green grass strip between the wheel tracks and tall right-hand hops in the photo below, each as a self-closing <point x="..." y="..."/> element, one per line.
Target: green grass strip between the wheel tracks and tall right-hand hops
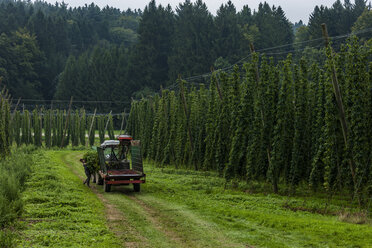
<point x="250" y="219"/>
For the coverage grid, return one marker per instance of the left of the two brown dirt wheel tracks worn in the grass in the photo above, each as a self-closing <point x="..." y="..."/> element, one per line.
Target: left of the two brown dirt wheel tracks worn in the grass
<point x="114" y="217"/>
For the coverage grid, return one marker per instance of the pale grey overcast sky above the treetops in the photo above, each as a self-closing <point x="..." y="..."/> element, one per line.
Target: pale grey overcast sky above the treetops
<point x="295" y="9"/>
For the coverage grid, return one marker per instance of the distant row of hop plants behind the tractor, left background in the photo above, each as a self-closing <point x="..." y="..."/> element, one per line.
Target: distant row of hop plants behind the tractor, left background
<point x="55" y="128"/>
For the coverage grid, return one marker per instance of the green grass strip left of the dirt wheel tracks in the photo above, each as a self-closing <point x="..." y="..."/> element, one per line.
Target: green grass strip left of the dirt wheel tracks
<point x="59" y="210"/>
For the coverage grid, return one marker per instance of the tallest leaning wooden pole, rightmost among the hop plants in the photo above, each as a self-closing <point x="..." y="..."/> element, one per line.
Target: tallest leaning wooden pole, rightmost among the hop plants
<point x="338" y="96"/>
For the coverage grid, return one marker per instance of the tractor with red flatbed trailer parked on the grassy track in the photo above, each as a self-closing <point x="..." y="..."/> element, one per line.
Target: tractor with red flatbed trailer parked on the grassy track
<point x="115" y="166"/>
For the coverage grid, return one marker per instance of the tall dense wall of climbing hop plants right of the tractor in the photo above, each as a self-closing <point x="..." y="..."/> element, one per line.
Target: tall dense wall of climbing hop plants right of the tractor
<point x="268" y="121"/>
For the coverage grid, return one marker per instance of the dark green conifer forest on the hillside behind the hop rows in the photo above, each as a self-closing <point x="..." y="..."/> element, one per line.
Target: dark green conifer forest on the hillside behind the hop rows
<point x="104" y="57"/>
